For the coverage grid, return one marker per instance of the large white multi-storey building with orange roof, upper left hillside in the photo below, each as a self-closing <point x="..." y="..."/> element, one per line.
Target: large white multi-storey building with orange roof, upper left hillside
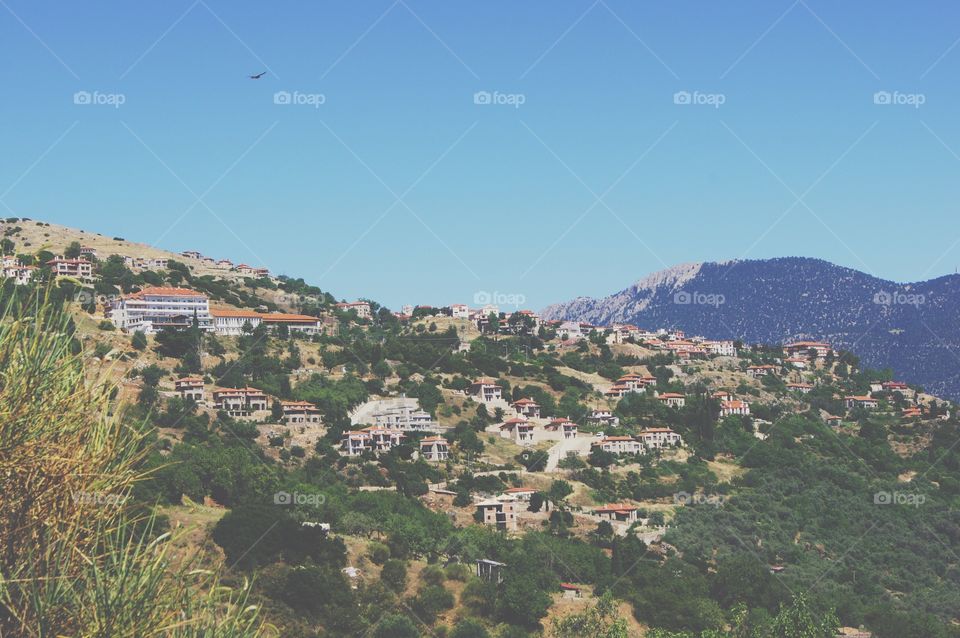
<point x="157" y="307"/>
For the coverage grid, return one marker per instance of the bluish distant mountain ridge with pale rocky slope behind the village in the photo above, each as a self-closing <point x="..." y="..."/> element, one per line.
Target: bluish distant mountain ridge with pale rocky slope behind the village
<point x="912" y="328"/>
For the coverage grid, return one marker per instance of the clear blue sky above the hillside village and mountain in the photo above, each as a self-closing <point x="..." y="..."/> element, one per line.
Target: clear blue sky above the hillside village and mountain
<point x="493" y="197"/>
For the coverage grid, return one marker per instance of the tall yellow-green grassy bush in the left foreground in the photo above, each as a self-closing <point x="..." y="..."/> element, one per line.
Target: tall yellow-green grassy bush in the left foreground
<point x="75" y="558"/>
